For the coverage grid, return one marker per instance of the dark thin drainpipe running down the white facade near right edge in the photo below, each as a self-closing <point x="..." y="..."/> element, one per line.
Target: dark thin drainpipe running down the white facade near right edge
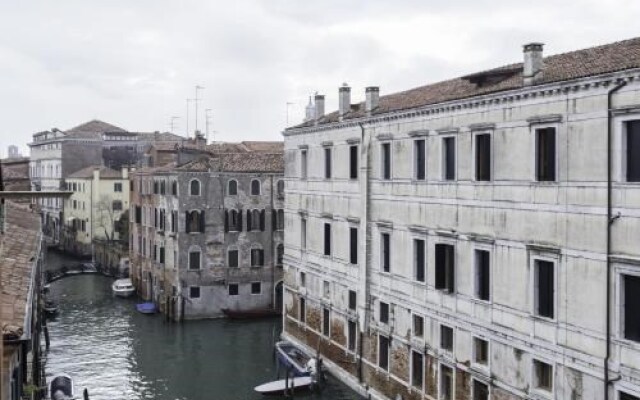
<point x="610" y="221"/>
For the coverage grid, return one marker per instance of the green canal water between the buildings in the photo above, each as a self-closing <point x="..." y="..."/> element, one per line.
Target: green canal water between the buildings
<point x="117" y="353"/>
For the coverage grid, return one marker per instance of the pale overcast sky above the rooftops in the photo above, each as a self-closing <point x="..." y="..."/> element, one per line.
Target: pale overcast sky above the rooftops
<point x="133" y="63"/>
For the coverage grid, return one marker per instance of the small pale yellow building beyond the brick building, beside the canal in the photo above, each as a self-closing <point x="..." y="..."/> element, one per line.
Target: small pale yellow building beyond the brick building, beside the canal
<point x="100" y="197"/>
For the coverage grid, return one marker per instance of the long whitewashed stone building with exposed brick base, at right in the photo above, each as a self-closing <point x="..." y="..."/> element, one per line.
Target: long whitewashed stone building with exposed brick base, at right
<point x="475" y="238"/>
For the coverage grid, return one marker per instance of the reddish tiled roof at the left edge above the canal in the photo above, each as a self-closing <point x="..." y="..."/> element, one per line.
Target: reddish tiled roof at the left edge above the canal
<point x="19" y="251"/>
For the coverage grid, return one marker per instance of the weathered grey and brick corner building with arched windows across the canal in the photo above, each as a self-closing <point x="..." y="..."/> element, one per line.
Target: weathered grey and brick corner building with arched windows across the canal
<point x="206" y="234"/>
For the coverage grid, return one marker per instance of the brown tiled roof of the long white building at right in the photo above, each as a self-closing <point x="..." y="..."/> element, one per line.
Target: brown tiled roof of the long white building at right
<point x="614" y="57"/>
